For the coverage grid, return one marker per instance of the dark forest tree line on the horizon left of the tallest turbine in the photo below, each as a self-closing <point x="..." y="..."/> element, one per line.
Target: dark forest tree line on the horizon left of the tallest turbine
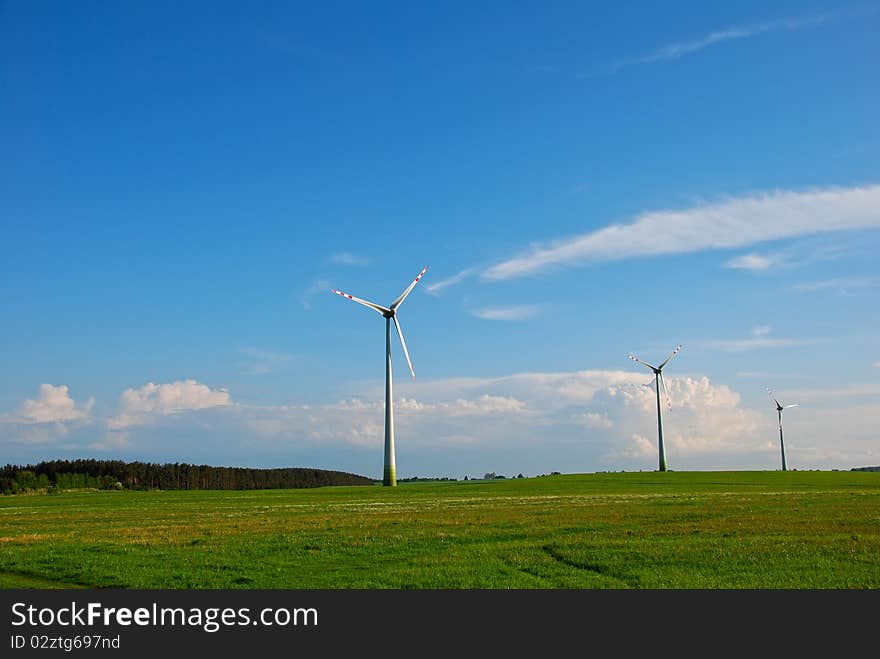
<point x="59" y="475"/>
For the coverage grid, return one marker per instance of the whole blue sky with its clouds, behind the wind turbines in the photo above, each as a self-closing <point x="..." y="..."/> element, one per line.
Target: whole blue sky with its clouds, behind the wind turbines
<point x="181" y="187"/>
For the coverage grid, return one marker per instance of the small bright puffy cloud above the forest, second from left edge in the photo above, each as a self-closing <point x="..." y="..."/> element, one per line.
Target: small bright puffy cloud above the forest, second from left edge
<point x="141" y="405"/>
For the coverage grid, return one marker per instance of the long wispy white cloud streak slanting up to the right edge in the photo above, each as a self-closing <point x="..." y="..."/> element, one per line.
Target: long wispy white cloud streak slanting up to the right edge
<point x="729" y="223"/>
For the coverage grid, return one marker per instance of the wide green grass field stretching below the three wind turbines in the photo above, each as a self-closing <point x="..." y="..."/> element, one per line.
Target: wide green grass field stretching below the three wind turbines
<point x="613" y="530"/>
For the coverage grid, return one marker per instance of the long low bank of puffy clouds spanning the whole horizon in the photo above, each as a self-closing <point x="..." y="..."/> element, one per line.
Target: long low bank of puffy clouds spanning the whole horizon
<point x="574" y="420"/>
